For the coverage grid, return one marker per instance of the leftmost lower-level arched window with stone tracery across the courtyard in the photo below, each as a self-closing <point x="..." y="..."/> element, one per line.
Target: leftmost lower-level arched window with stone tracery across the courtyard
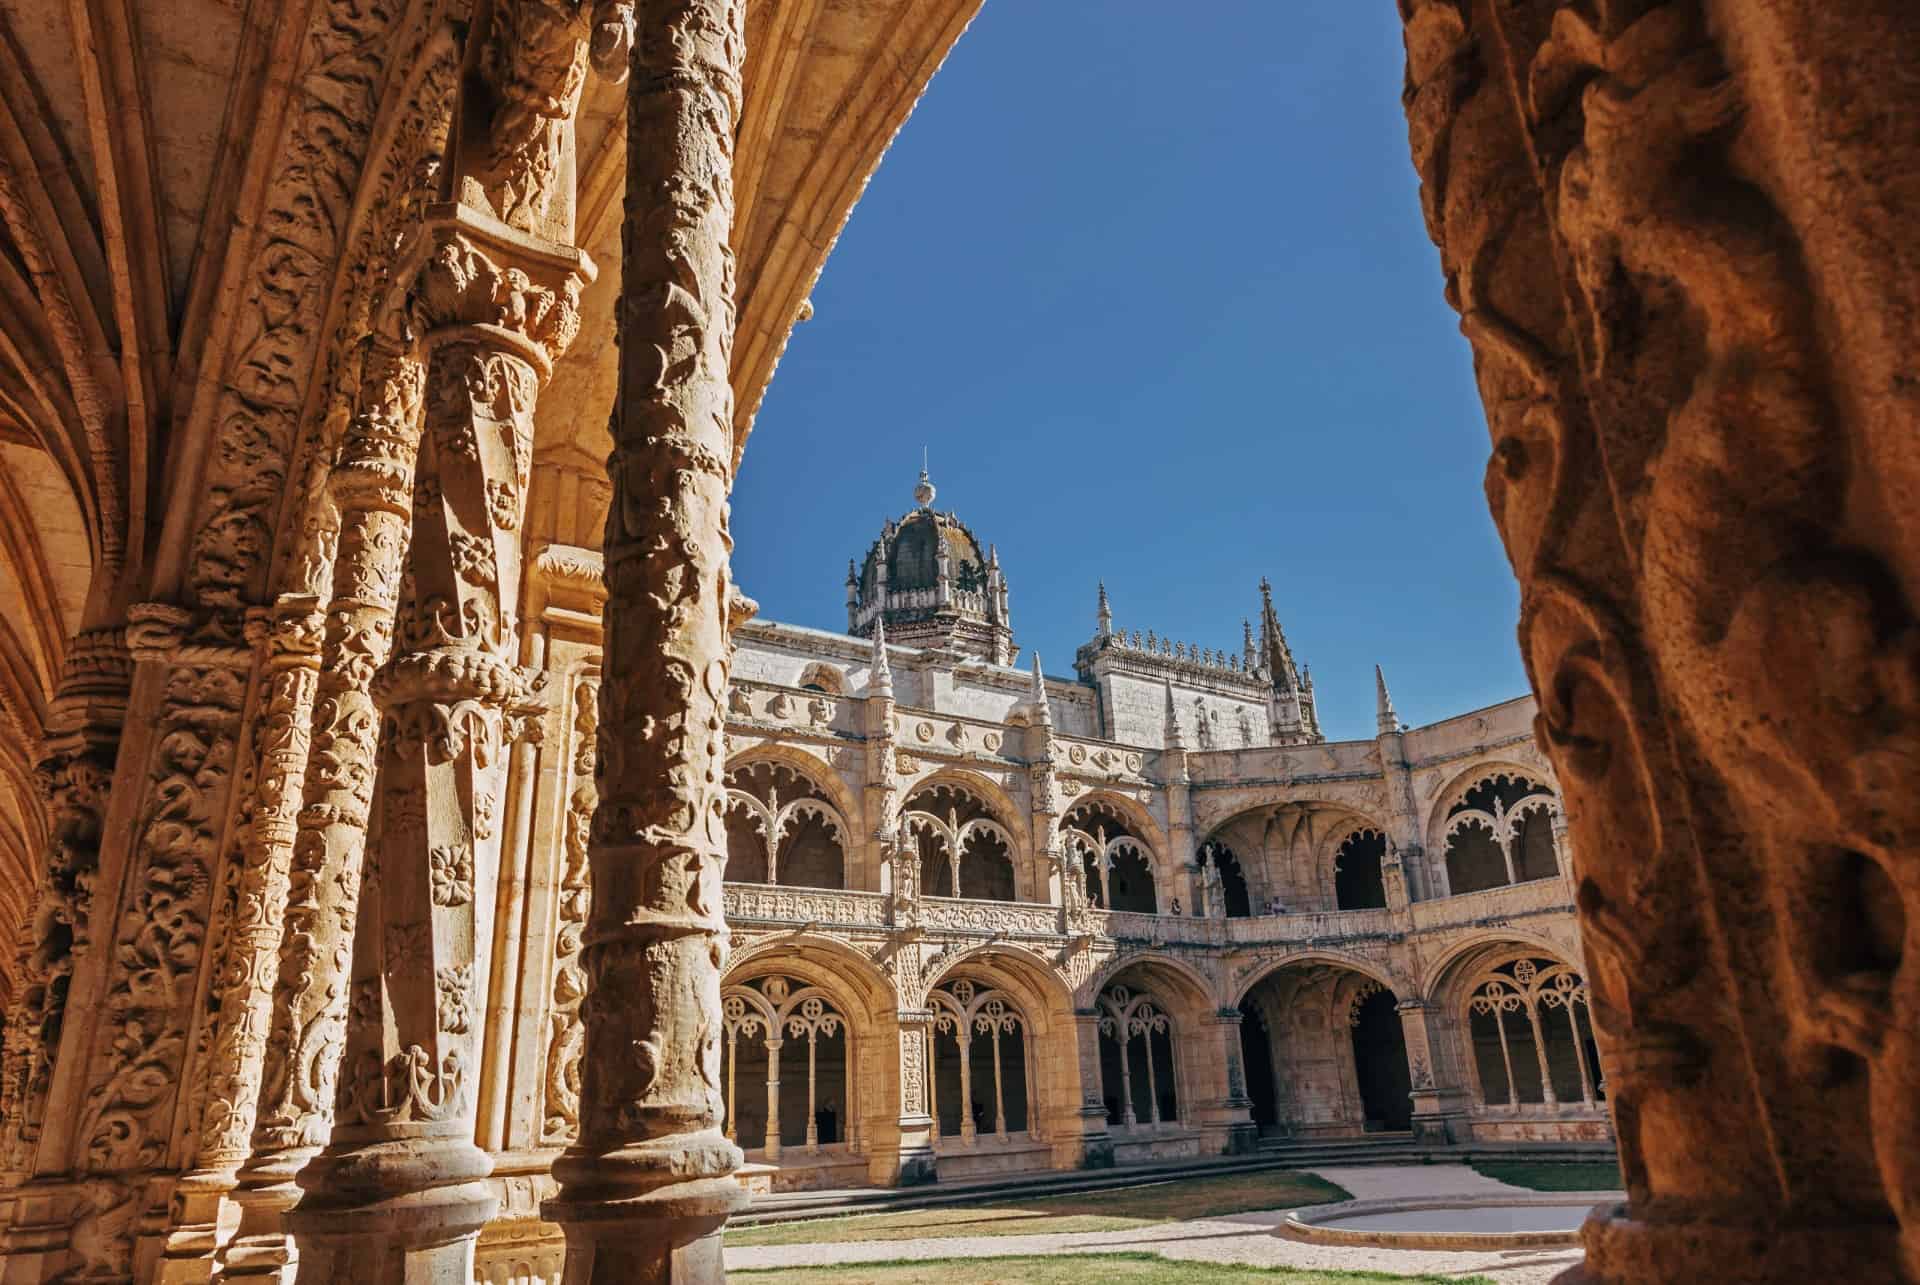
<point x="767" y="1109"/>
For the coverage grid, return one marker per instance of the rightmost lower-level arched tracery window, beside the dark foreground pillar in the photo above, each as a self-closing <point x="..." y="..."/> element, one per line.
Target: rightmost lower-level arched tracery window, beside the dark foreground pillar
<point x="1533" y="1038"/>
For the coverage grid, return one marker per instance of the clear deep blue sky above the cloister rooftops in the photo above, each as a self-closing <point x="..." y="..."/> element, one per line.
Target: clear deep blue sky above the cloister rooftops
<point x="1153" y="289"/>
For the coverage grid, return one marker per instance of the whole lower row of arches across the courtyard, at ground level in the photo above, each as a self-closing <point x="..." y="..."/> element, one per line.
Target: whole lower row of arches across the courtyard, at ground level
<point x="1168" y="1054"/>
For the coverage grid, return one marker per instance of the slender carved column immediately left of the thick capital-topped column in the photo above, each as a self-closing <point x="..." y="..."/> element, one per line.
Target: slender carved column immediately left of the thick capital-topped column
<point x="373" y="487"/>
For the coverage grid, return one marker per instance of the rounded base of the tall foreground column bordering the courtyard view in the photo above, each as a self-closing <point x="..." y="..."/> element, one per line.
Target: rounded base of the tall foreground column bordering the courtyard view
<point x="648" y="1215"/>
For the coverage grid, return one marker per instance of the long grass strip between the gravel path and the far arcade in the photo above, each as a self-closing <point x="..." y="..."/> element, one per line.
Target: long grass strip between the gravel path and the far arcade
<point x="1093" y="1211"/>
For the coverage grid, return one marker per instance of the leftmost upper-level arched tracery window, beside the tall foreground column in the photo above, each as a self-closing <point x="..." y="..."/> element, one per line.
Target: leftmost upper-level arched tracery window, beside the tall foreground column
<point x="782" y="829"/>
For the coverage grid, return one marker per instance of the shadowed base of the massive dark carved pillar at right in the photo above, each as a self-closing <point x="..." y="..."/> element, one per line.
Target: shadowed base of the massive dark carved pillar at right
<point x="1629" y="1251"/>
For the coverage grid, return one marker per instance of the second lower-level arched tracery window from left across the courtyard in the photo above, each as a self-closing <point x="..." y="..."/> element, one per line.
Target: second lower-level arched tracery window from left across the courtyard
<point x="982" y="1071"/>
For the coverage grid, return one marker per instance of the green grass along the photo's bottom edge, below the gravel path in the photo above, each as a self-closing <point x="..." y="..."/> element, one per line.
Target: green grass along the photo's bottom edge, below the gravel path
<point x="1078" y="1271"/>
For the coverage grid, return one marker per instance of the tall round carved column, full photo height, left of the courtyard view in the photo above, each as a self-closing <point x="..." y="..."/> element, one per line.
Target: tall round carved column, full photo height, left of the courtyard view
<point x="650" y="1182"/>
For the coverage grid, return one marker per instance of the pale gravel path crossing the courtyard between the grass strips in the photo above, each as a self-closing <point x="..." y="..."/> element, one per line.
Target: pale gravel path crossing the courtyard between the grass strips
<point x="1230" y="1238"/>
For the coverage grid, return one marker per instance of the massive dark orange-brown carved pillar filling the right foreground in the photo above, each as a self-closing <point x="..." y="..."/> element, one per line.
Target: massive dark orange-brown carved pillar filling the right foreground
<point x="1681" y="243"/>
